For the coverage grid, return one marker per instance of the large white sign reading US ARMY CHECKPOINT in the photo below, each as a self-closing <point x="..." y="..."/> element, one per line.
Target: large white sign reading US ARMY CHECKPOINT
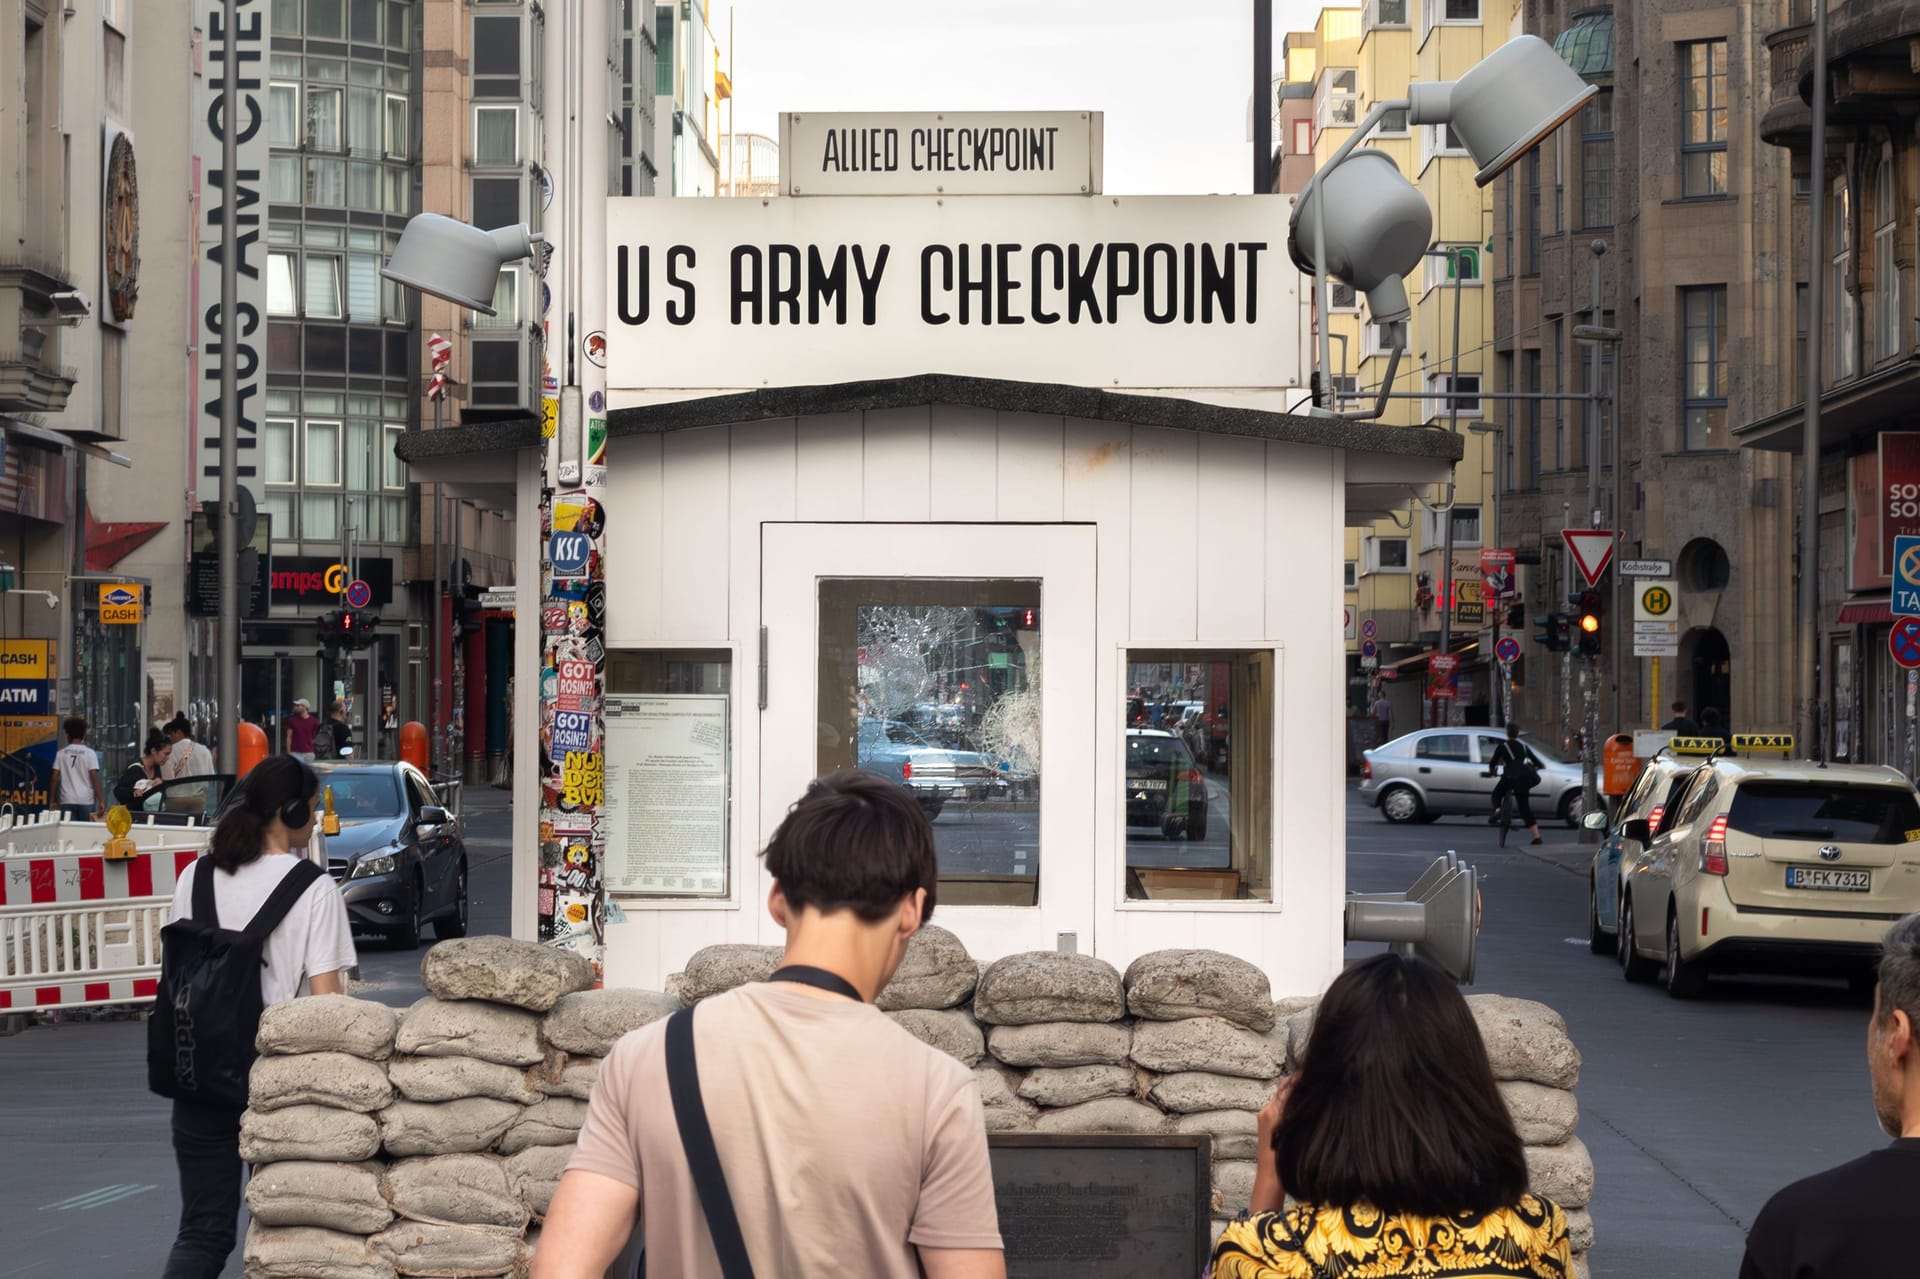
<point x="1107" y="293"/>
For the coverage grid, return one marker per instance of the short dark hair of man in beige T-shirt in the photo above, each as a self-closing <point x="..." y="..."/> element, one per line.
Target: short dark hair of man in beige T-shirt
<point x="855" y="842"/>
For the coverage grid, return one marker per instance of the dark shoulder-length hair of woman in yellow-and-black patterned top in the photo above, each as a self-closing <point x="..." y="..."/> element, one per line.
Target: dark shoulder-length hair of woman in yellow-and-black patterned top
<point x="1397" y="1101"/>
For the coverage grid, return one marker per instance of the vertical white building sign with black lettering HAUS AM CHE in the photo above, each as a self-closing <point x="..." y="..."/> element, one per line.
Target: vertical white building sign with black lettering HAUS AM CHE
<point x="247" y="189"/>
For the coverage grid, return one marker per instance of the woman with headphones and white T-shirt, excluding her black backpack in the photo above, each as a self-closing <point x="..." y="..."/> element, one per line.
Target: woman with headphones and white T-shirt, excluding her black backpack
<point x="256" y="846"/>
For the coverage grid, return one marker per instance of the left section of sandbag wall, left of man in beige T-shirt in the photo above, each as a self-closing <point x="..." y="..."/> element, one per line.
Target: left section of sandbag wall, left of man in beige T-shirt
<point x="427" y="1144"/>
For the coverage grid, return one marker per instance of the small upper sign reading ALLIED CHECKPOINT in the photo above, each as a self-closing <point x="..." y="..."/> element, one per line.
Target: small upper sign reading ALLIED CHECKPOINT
<point x="940" y="155"/>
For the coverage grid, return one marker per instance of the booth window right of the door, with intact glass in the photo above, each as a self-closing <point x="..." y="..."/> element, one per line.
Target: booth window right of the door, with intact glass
<point x="1199" y="775"/>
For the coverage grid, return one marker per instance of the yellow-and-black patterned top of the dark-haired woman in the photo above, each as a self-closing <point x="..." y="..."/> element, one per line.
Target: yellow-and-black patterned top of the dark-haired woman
<point x="1527" y="1242"/>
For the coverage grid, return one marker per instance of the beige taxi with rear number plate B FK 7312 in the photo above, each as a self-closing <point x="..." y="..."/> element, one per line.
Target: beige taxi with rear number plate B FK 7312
<point x="1771" y="867"/>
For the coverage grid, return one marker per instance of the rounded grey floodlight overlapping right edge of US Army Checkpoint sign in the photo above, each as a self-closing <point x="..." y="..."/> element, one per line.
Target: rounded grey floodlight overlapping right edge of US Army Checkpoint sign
<point x="1378" y="231"/>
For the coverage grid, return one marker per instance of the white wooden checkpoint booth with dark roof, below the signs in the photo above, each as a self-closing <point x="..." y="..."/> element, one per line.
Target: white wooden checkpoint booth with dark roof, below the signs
<point x="1097" y="635"/>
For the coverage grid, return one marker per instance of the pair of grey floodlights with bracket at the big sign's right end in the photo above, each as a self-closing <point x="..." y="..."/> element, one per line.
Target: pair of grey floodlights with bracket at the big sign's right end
<point x="1500" y="110"/>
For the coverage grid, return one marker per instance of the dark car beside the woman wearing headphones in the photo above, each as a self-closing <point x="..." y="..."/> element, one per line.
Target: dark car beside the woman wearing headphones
<point x="400" y="859"/>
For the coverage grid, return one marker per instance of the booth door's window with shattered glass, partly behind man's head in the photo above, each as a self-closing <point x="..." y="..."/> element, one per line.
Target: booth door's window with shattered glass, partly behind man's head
<point x="936" y="687"/>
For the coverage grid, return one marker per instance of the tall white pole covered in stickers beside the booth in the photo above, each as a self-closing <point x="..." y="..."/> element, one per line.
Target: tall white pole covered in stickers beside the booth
<point x="573" y="514"/>
